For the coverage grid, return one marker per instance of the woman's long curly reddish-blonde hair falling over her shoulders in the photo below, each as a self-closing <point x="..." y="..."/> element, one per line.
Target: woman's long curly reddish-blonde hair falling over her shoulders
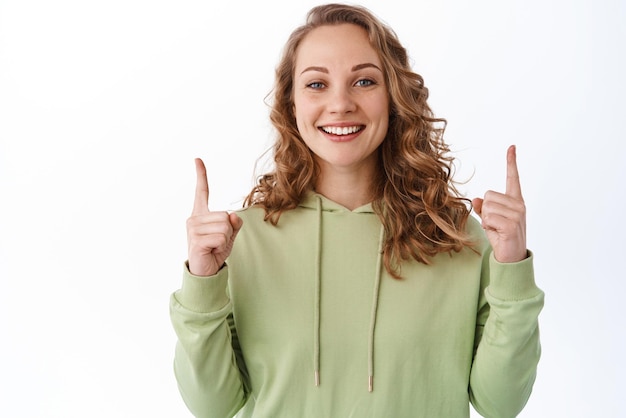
<point x="415" y="197"/>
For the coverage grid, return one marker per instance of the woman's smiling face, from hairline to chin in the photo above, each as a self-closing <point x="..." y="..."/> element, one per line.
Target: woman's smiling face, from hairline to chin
<point x="340" y="98"/>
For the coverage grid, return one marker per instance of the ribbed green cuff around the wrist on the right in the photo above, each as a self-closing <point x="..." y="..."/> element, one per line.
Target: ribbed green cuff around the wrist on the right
<point x="513" y="281"/>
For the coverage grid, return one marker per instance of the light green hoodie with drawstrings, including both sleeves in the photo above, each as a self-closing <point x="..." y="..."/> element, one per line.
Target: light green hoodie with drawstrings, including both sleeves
<point x="304" y="321"/>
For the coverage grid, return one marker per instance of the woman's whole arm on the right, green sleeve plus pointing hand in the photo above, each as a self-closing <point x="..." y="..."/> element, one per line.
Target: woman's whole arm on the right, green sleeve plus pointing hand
<point x="507" y="336"/>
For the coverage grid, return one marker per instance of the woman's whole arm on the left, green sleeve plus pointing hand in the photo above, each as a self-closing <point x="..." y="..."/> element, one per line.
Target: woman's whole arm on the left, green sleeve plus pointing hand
<point x="206" y="364"/>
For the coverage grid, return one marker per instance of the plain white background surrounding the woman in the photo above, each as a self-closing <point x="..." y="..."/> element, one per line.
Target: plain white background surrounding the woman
<point x="104" y="105"/>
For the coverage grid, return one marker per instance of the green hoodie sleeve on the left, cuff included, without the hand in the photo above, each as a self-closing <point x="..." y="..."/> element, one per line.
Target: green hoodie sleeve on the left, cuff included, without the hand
<point x="206" y="362"/>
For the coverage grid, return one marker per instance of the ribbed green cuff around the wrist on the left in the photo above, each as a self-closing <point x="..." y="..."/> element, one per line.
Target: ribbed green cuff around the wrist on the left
<point x="204" y="294"/>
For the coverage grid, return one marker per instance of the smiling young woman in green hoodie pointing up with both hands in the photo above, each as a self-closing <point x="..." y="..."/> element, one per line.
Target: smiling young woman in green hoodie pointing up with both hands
<point x="356" y="259"/>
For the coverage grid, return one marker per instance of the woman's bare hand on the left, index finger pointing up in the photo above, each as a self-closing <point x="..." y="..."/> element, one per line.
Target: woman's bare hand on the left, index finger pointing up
<point x="210" y="235"/>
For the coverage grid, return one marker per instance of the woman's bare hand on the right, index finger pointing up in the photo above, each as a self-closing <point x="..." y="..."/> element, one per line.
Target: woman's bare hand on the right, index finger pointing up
<point x="504" y="216"/>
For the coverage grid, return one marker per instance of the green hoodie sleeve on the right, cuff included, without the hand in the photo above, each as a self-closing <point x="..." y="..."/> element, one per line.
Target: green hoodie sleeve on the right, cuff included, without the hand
<point x="507" y="347"/>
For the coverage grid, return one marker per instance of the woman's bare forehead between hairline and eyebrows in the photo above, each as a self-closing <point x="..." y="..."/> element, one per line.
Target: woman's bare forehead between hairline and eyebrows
<point x="332" y="45"/>
